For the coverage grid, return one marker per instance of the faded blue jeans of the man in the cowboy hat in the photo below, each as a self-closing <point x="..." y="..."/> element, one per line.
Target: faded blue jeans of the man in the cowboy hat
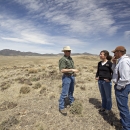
<point x="67" y="90"/>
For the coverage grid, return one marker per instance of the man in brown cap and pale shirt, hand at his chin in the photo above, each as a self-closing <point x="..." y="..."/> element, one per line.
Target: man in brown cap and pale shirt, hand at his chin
<point x="121" y="78"/>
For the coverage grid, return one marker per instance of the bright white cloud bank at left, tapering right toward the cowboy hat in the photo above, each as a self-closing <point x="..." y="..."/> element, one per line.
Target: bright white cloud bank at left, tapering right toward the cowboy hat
<point x="23" y="30"/>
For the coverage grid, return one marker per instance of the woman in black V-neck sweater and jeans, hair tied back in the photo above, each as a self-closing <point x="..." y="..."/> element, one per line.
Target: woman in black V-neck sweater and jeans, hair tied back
<point x="104" y="76"/>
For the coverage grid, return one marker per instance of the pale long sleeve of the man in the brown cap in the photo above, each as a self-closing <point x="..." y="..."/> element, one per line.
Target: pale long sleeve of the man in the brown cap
<point x="124" y="74"/>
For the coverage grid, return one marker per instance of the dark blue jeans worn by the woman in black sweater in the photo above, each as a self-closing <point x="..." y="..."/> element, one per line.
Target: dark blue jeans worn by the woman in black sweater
<point x="105" y="90"/>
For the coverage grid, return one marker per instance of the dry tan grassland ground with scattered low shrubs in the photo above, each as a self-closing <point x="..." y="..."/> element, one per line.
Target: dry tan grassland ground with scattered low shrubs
<point x="29" y="92"/>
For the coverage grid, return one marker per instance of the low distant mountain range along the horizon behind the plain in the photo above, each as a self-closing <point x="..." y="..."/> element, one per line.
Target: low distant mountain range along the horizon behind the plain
<point x="8" y="52"/>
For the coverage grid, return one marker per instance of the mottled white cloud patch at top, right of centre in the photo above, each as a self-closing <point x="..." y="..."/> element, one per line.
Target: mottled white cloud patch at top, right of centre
<point x="93" y="19"/>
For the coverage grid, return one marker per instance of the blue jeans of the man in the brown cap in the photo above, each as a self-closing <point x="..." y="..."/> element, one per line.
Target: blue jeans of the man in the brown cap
<point x="122" y="103"/>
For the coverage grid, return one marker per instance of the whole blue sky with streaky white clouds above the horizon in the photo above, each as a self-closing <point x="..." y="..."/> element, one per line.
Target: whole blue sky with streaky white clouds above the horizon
<point x="46" y="26"/>
